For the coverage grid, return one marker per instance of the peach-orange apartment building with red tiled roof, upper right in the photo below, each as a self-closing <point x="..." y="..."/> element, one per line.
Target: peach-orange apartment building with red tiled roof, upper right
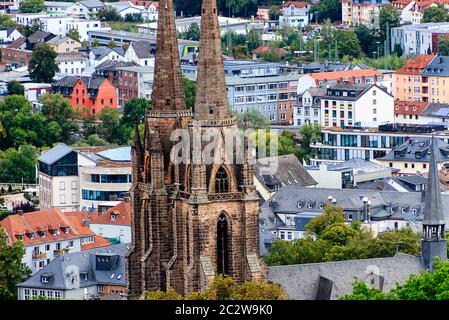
<point x="410" y="85"/>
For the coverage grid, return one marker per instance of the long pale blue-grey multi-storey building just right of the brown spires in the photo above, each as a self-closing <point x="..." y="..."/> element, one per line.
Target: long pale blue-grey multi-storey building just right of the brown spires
<point x="265" y="94"/>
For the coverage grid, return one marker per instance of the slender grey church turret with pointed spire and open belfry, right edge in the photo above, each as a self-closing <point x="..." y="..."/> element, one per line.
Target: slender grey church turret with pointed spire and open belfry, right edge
<point x="434" y="242"/>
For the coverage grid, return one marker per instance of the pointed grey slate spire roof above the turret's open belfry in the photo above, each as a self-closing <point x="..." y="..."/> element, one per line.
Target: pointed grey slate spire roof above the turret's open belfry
<point x="433" y="210"/>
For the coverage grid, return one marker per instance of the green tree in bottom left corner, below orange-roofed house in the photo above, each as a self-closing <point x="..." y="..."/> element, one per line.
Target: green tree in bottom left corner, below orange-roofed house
<point x="12" y="271"/>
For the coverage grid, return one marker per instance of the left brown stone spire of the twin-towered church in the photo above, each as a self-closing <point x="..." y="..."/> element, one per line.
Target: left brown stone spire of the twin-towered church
<point x="168" y="92"/>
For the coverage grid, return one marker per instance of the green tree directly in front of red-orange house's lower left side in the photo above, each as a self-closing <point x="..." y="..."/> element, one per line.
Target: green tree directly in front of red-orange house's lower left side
<point x="58" y="109"/>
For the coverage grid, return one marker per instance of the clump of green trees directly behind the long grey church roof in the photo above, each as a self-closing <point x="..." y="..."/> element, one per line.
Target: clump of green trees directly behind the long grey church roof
<point x="329" y="238"/>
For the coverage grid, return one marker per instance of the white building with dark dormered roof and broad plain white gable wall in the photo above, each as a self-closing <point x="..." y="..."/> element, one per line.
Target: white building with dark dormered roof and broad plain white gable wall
<point x="356" y="105"/>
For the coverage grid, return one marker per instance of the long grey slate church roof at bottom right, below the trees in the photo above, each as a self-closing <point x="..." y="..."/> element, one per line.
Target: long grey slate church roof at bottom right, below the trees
<point x="301" y="282"/>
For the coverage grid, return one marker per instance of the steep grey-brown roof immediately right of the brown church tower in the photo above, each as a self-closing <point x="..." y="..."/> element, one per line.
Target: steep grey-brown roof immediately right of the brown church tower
<point x="289" y="171"/>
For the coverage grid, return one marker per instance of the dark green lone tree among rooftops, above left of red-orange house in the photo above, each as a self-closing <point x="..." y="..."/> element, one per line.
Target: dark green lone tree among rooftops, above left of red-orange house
<point x="42" y="66"/>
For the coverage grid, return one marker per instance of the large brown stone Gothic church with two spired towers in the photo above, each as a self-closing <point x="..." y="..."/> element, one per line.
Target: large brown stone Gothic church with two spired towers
<point x="191" y="219"/>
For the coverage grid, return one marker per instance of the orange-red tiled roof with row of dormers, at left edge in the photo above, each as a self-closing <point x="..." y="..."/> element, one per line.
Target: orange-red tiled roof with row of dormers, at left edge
<point x="30" y="223"/>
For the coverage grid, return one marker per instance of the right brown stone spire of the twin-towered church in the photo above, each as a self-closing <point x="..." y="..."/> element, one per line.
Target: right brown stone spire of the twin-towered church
<point x="211" y="96"/>
